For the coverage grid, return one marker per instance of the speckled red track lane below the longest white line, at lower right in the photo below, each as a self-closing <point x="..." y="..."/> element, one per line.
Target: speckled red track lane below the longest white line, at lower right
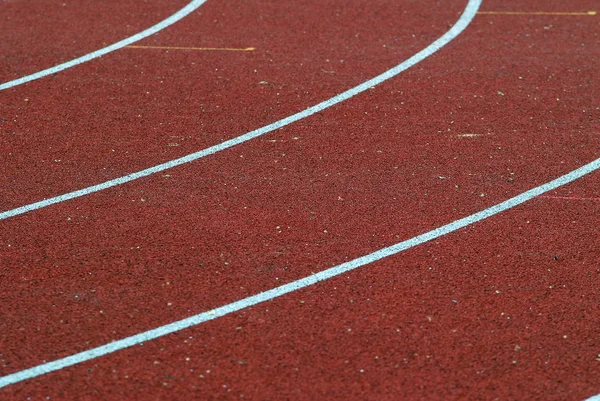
<point x="439" y="321"/>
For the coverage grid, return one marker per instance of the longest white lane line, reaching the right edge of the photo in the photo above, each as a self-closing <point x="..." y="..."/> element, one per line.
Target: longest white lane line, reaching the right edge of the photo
<point x="295" y="285"/>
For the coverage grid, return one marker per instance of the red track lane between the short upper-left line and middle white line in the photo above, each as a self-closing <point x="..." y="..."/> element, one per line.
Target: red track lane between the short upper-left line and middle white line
<point x="217" y="98"/>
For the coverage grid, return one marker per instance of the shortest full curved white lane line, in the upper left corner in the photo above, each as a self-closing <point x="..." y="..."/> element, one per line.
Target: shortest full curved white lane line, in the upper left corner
<point x="193" y="5"/>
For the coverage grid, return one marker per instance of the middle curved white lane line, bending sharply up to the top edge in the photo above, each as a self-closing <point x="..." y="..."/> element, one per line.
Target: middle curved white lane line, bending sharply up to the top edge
<point x="460" y="25"/>
